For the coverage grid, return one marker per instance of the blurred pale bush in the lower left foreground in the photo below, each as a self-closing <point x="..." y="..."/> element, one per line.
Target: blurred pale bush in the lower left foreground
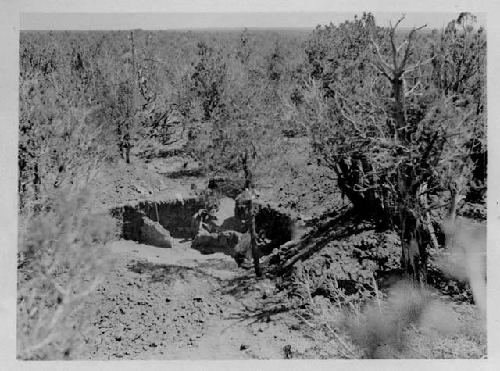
<point x="60" y="265"/>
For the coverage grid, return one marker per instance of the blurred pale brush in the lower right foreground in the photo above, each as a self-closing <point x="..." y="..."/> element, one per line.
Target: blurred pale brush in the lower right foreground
<point x="405" y="321"/>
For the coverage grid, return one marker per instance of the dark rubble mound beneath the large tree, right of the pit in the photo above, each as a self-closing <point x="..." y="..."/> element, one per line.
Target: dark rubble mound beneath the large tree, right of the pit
<point x="342" y="252"/>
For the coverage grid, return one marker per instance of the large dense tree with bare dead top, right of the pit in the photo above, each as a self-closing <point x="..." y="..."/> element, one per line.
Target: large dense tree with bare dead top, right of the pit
<point x="393" y="137"/>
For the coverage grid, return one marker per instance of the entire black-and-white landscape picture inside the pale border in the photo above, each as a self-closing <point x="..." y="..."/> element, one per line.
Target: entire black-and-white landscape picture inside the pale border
<point x="251" y="186"/>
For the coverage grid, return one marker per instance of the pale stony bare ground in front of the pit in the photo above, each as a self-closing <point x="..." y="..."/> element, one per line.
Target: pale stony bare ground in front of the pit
<point x="179" y="304"/>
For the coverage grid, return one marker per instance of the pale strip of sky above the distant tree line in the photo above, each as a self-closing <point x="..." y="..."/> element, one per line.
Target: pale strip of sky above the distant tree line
<point x="223" y="21"/>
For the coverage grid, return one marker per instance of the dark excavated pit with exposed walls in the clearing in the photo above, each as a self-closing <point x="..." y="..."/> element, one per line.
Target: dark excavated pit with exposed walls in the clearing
<point x="153" y="222"/>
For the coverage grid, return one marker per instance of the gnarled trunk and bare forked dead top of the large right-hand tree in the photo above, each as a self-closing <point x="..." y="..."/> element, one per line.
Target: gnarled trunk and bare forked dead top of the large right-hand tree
<point x="413" y="217"/>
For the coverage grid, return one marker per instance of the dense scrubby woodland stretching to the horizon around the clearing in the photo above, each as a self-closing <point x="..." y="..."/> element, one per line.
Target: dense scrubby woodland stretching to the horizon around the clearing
<point x="394" y="117"/>
